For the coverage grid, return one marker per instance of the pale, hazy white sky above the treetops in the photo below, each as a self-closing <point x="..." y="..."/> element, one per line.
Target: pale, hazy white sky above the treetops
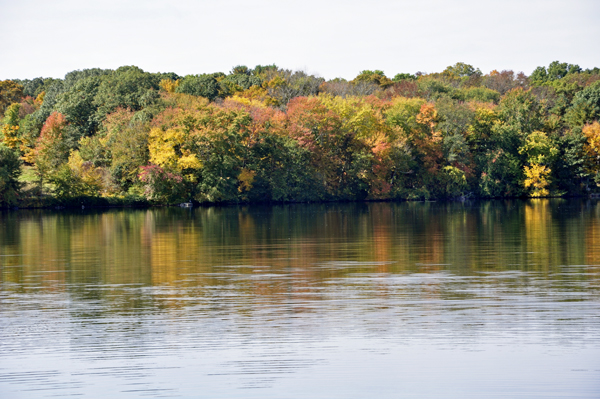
<point x="338" y="38"/>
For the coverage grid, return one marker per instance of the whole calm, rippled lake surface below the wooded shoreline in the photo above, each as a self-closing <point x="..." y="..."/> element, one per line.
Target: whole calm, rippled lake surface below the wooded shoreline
<point x="409" y="300"/>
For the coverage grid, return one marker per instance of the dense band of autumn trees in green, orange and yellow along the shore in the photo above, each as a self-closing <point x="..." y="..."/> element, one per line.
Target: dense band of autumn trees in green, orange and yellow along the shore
<point x="128" y="137"/>
